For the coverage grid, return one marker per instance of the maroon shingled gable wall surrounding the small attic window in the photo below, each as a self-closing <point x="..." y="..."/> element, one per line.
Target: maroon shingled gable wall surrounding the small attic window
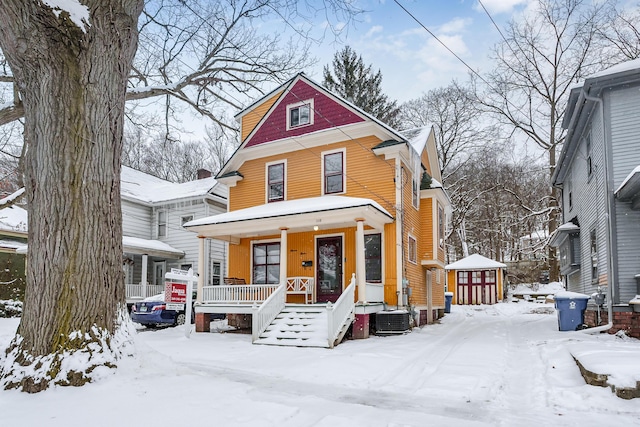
<point x="327" y="113"/>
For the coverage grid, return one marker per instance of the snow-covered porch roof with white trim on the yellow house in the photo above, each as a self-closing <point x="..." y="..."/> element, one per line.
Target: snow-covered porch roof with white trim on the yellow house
<point x="295" y="215"/>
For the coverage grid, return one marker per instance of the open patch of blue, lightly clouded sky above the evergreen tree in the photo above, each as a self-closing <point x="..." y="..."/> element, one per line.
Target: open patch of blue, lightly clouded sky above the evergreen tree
<point x="411" y="60"/>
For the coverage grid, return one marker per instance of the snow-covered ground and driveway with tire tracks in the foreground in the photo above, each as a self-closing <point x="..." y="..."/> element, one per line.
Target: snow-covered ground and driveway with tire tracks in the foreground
<point x="500" y="365"/>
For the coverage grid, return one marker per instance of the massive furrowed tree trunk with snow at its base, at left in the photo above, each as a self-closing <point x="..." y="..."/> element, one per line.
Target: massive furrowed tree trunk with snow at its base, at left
<point x="72" y="84"/>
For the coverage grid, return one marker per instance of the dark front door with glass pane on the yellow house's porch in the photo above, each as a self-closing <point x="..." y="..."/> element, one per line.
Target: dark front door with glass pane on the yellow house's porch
<point x="329" y="268"/>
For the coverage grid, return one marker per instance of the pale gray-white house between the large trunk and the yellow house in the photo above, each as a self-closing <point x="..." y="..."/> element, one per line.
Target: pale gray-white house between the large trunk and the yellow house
<point x="154" y="241"/>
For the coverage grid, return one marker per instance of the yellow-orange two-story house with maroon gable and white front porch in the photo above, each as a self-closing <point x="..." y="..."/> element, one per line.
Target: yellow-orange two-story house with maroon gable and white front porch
<point x="330" y="208"/>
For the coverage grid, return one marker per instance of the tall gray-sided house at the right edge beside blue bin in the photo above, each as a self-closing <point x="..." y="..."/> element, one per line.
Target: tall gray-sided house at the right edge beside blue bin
<point x="599" y="175"/>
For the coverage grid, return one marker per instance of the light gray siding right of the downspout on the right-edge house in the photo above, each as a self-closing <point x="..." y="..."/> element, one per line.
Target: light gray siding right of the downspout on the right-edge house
<point x="624" y="110"/>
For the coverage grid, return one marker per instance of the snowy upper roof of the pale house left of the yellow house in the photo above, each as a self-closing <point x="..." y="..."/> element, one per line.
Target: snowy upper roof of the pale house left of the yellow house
<point x="150" y="189"/>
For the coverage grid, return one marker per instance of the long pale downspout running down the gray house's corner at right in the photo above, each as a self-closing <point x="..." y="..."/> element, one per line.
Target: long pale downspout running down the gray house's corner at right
<point x="611" y="272"/>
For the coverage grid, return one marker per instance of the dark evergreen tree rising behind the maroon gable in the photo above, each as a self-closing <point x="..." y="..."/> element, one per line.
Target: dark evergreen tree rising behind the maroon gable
<point x="359" y="85"/>
